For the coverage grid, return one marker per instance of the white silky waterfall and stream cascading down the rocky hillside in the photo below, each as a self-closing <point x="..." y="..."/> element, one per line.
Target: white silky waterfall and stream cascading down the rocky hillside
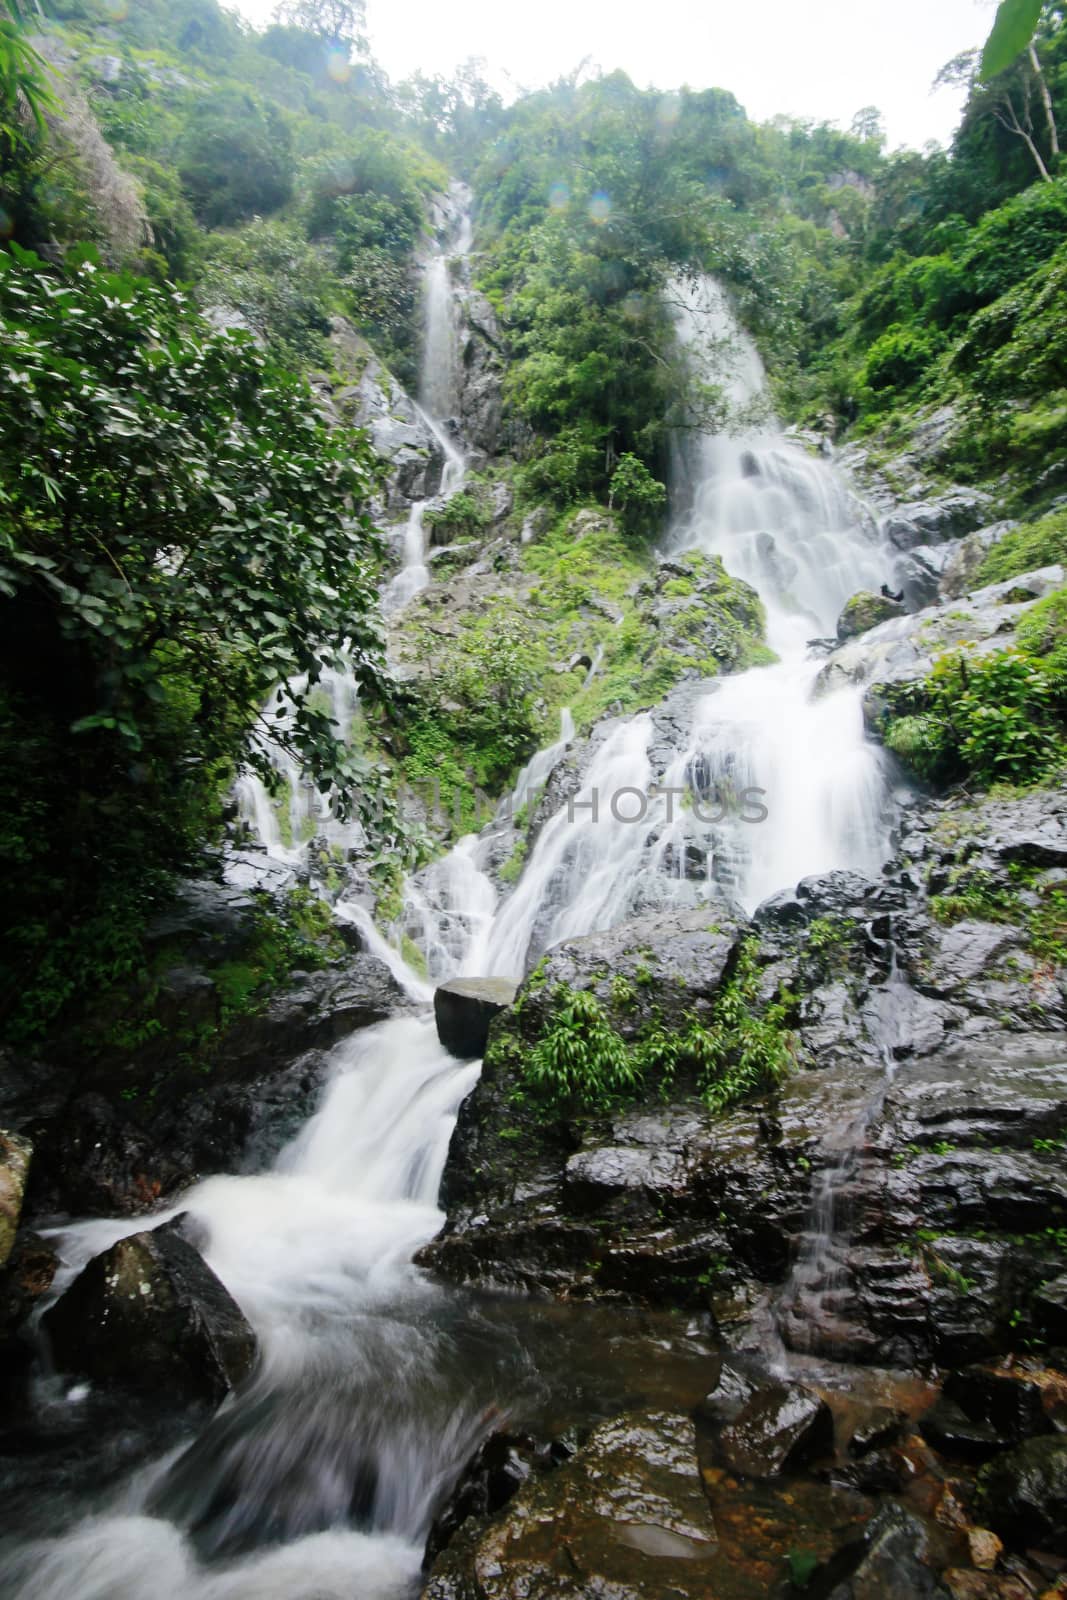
<point x="322" y="1476"/>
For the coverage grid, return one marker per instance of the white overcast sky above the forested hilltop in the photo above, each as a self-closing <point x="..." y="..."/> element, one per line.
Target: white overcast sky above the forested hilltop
<point x="807" y="58"/>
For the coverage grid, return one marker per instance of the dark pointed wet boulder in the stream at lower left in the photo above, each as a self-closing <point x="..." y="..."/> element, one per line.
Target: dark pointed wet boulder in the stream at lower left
<point x="151" y="1314"/>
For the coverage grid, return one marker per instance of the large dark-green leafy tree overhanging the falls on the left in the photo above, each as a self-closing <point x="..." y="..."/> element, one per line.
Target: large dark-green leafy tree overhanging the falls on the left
<point x="178" y="534"/>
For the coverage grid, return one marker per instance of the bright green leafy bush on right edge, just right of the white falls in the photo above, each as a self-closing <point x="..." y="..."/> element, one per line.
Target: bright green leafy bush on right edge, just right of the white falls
<point x="983" y="718"/>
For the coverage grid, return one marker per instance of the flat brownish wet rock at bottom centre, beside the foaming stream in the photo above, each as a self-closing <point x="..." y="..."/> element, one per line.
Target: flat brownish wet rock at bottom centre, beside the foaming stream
<point x="625" y="1518"/>
